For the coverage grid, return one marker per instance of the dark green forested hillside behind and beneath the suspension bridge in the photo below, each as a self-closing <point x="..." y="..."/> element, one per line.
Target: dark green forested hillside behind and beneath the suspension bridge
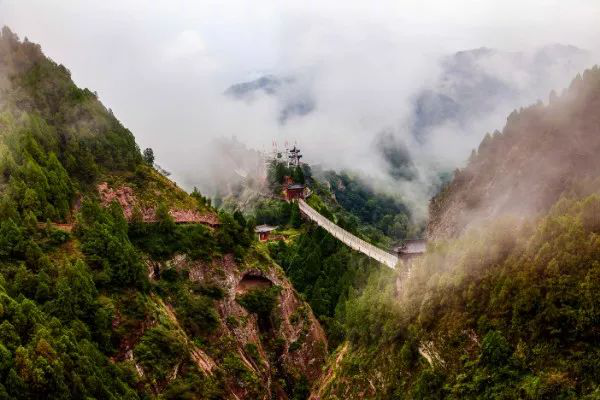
<point x="319" y="266"/>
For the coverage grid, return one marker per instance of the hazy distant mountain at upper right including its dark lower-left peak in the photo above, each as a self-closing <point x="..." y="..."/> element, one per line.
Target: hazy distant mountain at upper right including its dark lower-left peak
<point x="473" y="91"/>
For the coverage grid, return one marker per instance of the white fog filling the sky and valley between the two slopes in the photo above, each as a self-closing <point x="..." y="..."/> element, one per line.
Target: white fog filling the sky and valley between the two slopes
<point x="163" y="68"/>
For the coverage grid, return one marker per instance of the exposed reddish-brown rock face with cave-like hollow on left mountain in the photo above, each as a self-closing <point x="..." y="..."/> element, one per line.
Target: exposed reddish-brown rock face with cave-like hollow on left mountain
<point x="293" y="346"/>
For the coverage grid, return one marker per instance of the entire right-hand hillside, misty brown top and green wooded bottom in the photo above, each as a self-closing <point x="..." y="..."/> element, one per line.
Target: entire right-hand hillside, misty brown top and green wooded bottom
<point x="505" y="309"/>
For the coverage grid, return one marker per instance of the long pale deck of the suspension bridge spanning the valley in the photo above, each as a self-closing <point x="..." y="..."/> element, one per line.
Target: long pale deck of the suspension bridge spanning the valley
<point x="347" y="238"/>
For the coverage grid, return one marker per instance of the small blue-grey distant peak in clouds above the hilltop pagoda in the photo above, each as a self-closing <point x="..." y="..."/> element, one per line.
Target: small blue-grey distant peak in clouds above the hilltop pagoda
<point x="293" y="97"/>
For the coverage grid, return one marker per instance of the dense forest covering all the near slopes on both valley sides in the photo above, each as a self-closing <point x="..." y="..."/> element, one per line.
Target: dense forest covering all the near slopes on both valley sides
<point x="97" y="300"/>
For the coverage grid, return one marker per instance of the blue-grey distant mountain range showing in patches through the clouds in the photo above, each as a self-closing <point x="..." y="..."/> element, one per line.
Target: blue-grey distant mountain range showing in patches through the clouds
<point x="472" y="93"/>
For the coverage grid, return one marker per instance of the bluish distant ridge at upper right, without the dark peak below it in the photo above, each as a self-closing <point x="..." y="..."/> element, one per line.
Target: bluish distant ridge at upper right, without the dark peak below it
<point x="475" y="83"/>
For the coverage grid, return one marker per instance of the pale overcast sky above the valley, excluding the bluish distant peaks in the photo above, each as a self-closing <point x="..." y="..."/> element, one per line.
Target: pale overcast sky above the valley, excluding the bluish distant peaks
<point x="162" y="66"/>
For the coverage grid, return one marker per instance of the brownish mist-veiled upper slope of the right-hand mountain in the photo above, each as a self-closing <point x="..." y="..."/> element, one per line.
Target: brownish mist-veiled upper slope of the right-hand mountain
<point x="542" y="152"/>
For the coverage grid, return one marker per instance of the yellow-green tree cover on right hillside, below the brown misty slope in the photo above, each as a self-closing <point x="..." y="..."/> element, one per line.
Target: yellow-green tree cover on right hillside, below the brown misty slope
<point x="510" y="312"/>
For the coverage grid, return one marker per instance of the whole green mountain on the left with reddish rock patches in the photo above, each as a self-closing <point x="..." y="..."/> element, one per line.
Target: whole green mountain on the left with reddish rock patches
<point x="114" y="282"/>
